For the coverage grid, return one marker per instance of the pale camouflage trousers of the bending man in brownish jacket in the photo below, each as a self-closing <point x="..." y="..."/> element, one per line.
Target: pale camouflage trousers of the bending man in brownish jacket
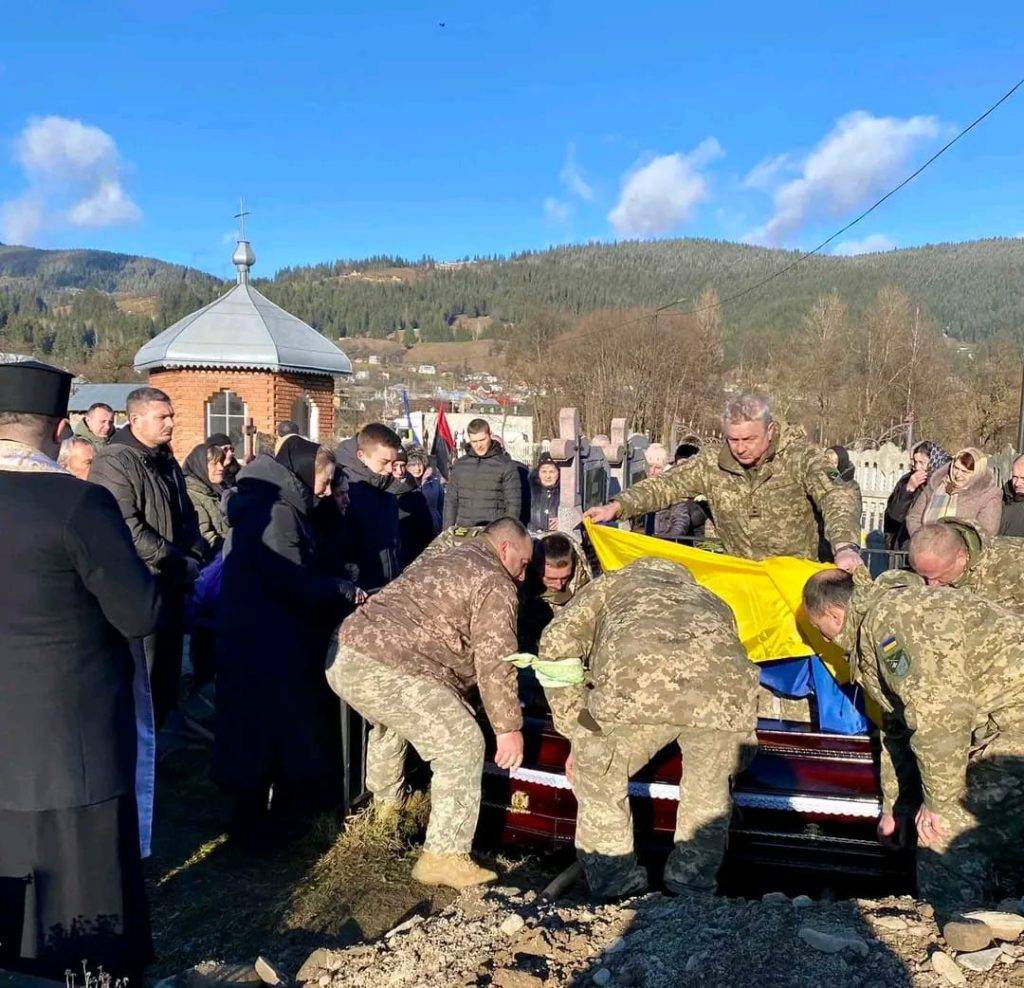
<point x="438" y="722"/>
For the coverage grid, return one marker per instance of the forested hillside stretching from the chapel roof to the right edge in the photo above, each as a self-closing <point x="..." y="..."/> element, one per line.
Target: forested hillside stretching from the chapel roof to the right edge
<point x="972" y="290"/>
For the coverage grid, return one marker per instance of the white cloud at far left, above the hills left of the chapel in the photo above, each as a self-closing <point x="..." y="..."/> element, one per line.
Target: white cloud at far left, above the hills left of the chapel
<point x="74" y="177"/>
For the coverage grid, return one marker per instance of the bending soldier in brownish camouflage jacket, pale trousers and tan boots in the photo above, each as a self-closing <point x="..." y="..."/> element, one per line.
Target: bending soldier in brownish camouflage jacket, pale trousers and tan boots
<point x="407" y="661"/>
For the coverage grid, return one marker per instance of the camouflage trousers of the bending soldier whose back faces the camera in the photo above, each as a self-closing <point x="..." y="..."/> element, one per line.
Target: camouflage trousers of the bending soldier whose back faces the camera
<point x="604" y="765"/>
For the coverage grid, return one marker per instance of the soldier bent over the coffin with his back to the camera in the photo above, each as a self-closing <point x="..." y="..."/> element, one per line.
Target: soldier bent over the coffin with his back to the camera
<point x="664" y="664"/>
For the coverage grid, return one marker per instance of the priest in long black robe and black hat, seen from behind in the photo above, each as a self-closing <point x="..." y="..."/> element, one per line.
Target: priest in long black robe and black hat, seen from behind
<point x="72" y="592"/>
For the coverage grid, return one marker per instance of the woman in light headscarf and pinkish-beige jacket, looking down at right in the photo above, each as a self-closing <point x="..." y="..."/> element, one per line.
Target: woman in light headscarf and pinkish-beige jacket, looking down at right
<point x="966" y="490"/>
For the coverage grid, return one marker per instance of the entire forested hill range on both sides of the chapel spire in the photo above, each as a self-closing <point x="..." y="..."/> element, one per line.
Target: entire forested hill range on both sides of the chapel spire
<point x="93" y="310"/>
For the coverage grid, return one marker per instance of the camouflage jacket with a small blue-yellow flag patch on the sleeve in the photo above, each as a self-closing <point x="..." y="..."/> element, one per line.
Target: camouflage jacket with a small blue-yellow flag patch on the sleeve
<point x="948" y="669"/>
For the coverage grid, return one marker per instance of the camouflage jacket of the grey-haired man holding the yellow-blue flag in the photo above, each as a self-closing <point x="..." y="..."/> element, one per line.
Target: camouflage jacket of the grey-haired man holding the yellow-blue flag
<point x="767" y="510"/>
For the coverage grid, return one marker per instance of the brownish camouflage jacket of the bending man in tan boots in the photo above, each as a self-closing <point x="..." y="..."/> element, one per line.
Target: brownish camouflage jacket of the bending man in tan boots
<point x="453" y="618"/>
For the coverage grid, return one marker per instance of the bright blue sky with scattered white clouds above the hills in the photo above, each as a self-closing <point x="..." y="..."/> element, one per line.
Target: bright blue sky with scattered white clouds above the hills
<point x="358" y="130"/>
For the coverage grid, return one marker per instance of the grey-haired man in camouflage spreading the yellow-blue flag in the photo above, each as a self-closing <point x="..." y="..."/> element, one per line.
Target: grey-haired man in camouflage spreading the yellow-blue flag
<point x="763" y="487"/>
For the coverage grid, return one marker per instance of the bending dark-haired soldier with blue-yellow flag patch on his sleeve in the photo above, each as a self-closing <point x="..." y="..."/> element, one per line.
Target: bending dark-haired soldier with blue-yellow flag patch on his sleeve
<point x="948" y="669"/>
